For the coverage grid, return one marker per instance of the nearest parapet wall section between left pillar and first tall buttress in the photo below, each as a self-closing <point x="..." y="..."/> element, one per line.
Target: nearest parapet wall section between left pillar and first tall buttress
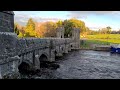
<point x="25" y="45"/>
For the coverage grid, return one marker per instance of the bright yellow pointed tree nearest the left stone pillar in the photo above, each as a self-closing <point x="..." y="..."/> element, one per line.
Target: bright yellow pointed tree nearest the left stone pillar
<point x="30" y="28"/>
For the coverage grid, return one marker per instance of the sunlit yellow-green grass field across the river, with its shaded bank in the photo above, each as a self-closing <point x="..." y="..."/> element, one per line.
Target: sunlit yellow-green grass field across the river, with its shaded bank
<point x="100" y="39"/>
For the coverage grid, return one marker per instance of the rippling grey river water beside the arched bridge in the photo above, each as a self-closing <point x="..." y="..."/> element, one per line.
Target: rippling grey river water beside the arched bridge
<point x="84" y="64"/>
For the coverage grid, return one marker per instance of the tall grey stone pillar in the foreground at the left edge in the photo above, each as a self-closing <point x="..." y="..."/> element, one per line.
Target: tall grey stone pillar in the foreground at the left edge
<point x="8" y="57"/>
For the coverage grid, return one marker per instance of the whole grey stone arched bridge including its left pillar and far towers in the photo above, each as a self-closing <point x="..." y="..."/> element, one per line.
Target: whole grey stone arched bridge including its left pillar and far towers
<point x="15" y="51"/>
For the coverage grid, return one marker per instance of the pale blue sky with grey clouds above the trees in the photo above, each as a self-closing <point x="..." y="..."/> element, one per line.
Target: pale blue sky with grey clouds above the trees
<point x="92" y="19"/>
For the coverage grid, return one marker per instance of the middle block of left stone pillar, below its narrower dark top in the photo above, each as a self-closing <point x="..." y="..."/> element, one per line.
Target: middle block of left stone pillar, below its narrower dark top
<point x="8" y="44"/>
